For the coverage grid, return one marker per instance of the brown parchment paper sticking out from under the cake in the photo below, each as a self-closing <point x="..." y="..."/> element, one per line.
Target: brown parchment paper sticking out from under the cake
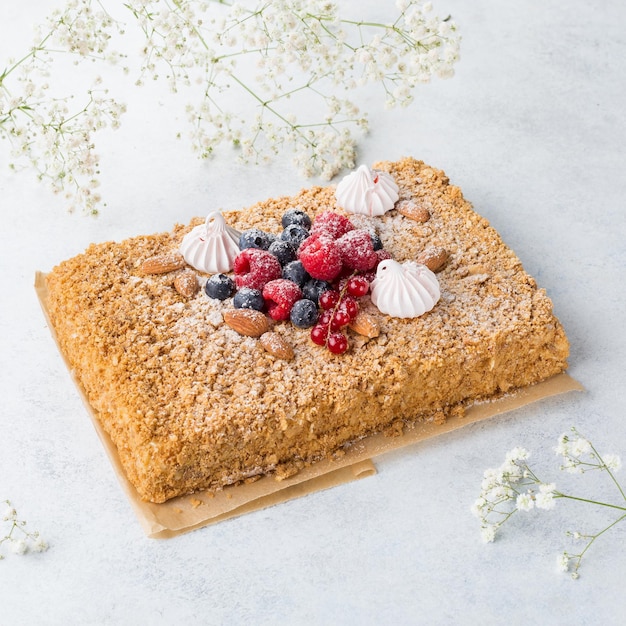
<point x="187" y="513"/>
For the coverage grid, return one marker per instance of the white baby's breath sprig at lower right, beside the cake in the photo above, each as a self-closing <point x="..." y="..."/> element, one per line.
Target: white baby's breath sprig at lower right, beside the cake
<point x="514" y="487"/>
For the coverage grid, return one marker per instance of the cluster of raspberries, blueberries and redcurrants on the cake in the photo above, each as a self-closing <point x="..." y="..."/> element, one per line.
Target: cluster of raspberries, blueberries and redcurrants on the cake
<point x="312" y="274"/>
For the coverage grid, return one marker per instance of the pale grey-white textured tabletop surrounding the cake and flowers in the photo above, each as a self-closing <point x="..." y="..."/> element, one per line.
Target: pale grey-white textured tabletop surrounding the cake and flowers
<point x="533" y="130"/>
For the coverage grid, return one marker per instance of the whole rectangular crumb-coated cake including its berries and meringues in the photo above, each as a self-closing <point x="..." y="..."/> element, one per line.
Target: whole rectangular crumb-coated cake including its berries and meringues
<point x="259" y="341"/>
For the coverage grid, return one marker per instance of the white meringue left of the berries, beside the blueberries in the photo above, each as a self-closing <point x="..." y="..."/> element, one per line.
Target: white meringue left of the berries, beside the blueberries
<point x="212" y="246"/>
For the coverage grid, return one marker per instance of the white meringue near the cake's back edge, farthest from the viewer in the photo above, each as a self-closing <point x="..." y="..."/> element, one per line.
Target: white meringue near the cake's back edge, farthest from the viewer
<point x="367" y="192"/>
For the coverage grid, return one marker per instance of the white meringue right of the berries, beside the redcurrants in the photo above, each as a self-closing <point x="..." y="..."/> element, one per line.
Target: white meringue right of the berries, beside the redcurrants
<point x="404" y="289"/>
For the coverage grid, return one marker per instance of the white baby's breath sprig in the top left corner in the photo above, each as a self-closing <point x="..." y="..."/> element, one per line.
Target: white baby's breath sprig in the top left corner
<point x="47" y="129"/>
